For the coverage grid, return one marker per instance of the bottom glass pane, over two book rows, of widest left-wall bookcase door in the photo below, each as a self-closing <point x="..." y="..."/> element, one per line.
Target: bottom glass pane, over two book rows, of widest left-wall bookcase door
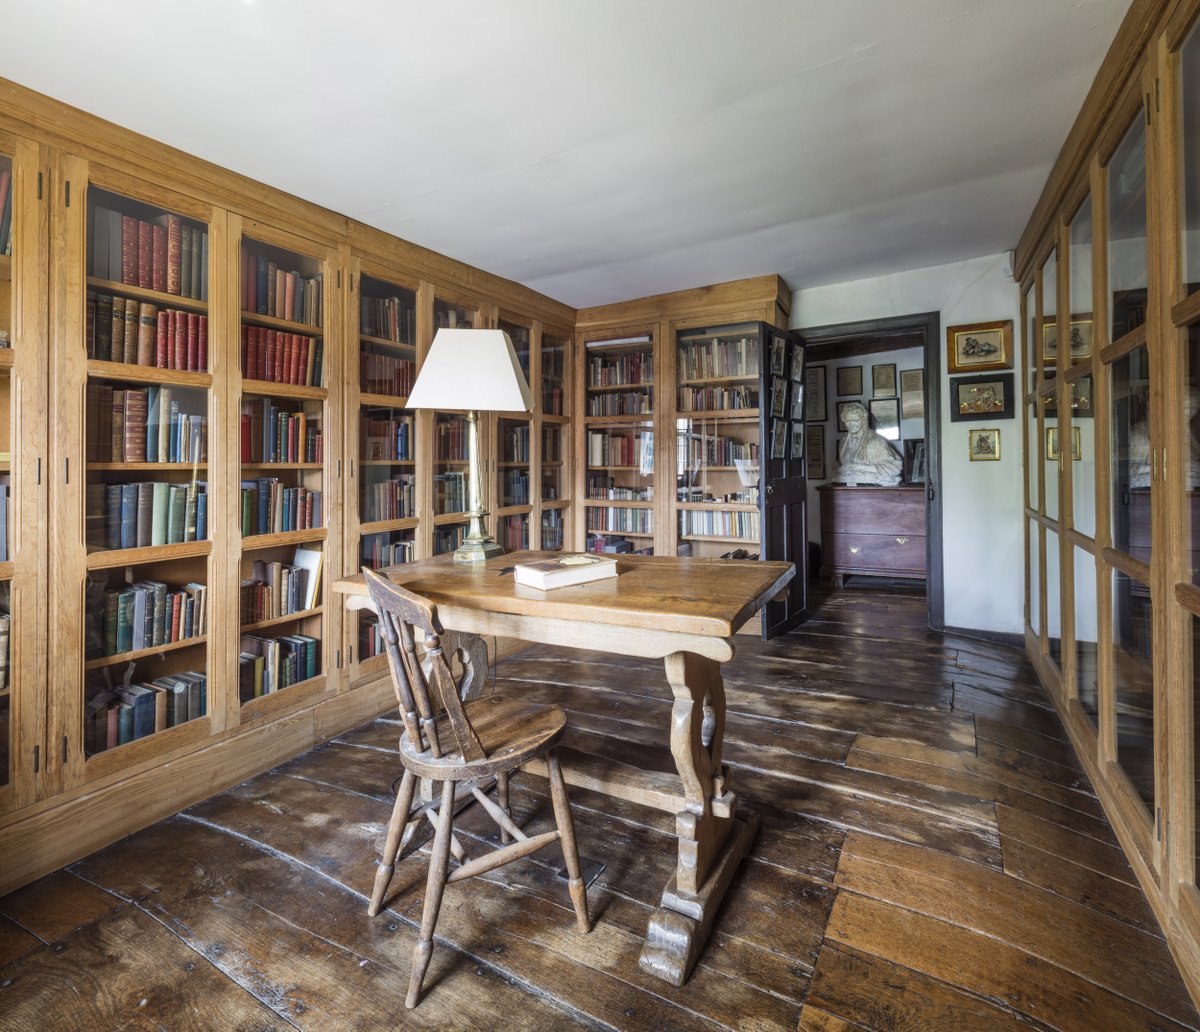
<point x="145" y="634"/>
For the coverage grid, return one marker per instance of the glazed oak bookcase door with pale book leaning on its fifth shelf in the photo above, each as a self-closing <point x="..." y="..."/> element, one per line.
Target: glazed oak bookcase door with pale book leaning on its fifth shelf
<point x="285" y="525"/>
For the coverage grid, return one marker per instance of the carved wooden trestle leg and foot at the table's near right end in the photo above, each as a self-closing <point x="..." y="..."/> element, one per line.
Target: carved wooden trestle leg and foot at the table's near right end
<point x="712" y="839"/>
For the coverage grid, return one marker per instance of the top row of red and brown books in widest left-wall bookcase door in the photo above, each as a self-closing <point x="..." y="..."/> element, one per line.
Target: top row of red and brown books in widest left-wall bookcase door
<point x="170" y="255"/>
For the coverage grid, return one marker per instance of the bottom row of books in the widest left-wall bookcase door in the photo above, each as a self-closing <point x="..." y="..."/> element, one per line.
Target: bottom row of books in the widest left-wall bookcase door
<point x="116" y="716"/>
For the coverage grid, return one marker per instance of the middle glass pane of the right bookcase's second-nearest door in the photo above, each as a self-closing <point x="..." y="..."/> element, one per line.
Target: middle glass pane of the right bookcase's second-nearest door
<point x="1131" y="457"/>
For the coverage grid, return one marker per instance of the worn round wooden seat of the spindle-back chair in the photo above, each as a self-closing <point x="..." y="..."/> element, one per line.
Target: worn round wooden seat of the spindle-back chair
<point x="509" y="730"/>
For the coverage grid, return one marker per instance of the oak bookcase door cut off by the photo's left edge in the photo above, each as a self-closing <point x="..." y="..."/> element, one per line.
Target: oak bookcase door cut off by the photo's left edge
<point x="23" y="262"/>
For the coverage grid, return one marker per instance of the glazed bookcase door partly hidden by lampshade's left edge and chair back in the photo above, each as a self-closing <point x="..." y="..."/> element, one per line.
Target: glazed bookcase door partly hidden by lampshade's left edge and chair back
<point x="383" y="487"/>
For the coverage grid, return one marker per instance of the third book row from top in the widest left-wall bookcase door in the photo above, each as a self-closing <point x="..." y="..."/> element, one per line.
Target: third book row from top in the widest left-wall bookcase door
<point x="145" y="424"/>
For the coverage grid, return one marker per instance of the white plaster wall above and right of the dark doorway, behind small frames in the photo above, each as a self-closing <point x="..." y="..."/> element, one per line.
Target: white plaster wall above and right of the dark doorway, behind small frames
<point x="982" y="502"/>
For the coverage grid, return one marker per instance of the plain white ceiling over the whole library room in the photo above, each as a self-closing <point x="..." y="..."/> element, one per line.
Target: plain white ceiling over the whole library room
<point x="609" y="149"/>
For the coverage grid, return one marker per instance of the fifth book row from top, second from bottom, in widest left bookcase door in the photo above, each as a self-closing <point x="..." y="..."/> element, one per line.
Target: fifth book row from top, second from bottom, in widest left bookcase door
<point x="151" y="614"/>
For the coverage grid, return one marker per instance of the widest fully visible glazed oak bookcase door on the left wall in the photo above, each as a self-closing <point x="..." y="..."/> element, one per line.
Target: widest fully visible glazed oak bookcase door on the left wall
<point x="137" y="473"/>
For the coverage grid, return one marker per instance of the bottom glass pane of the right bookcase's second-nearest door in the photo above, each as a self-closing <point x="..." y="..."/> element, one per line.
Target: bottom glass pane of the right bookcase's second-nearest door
<point x="1133" y="685"/>
